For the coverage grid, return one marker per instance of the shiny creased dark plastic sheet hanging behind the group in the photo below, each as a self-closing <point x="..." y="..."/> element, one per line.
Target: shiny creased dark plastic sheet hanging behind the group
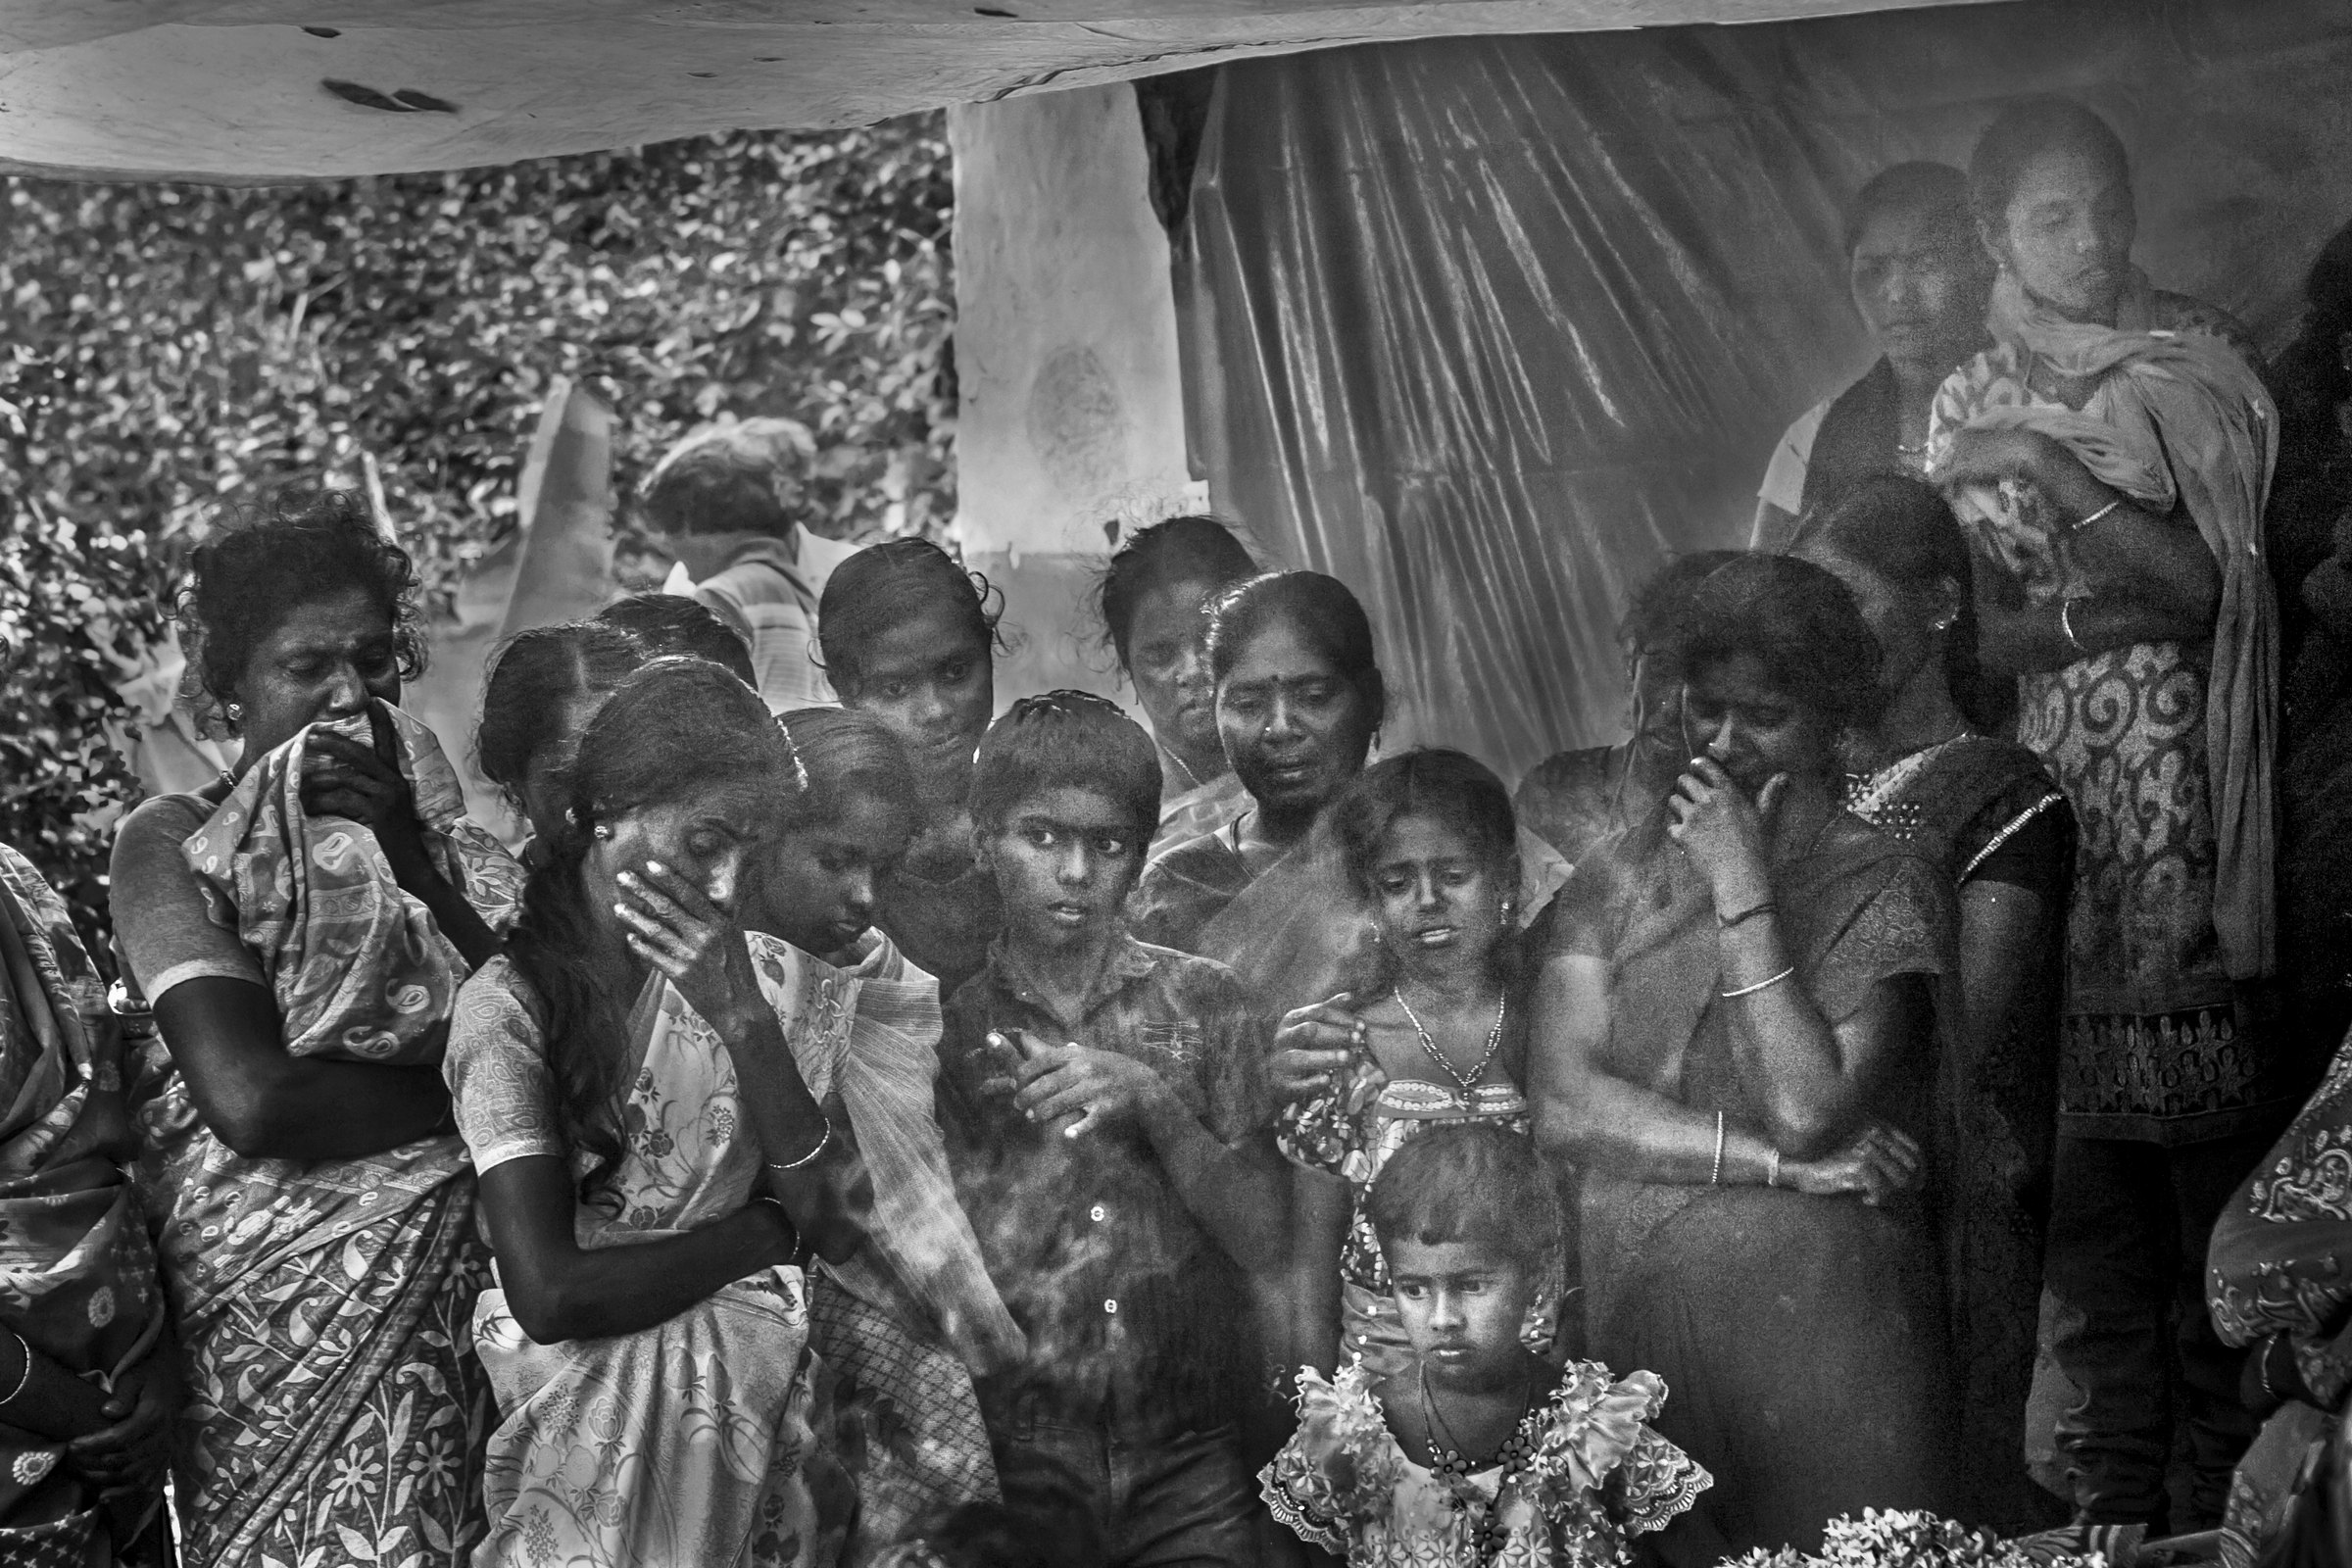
<point x="1488" y="328"/>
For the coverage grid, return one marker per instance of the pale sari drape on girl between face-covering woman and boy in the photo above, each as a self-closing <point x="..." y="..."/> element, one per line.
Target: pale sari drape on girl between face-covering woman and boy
<point x="909" y="1320"/>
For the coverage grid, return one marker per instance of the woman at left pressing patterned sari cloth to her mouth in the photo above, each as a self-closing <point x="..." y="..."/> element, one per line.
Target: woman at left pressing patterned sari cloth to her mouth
<point x="302" y="930"/>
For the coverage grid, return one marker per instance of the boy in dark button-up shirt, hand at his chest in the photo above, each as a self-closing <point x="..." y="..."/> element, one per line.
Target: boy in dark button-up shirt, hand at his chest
<point x="1102" y="1108"/>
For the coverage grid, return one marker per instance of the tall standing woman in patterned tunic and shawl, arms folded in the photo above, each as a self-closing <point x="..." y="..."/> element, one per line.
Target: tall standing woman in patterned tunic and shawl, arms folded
<point x="2111" y="455"/>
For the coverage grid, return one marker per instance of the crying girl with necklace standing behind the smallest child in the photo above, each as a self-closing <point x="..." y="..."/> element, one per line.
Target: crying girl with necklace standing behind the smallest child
<point x="1431" y="1036"/>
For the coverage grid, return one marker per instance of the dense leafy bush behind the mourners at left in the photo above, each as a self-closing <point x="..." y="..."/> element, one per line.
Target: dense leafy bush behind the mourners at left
<point x="180" y="347"/>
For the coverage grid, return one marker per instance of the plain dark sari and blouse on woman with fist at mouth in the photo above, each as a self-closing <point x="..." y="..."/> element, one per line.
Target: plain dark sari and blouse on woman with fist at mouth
<point x="1803" y="1336"/>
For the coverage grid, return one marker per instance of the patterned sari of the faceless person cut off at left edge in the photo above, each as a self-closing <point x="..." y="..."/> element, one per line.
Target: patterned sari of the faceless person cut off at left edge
<point x="76" y="1266"/>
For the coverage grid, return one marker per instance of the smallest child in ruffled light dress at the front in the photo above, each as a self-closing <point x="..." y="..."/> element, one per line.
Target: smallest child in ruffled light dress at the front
<point x="1481" y="1452"/>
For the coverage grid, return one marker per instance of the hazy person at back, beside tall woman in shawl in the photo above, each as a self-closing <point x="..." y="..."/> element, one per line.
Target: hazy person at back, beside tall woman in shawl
<point x="1920" y="283"/>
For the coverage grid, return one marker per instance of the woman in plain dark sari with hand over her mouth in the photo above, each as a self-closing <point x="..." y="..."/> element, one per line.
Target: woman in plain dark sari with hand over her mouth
<point x="1735" y="1040"/>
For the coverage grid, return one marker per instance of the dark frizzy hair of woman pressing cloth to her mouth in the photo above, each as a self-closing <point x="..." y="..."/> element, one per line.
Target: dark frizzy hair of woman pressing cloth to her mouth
<point x="274" y="558"/>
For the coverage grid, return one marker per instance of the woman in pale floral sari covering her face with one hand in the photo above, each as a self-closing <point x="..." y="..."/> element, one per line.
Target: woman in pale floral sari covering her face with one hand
<point x="653" y="1165"/>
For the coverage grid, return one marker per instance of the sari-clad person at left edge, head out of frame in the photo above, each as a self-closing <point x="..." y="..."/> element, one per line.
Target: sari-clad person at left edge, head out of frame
<point x="91" y="1360"/>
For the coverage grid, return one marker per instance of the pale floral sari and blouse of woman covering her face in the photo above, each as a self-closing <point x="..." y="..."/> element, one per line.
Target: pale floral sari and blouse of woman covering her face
<point x="690" y="1442"/>
